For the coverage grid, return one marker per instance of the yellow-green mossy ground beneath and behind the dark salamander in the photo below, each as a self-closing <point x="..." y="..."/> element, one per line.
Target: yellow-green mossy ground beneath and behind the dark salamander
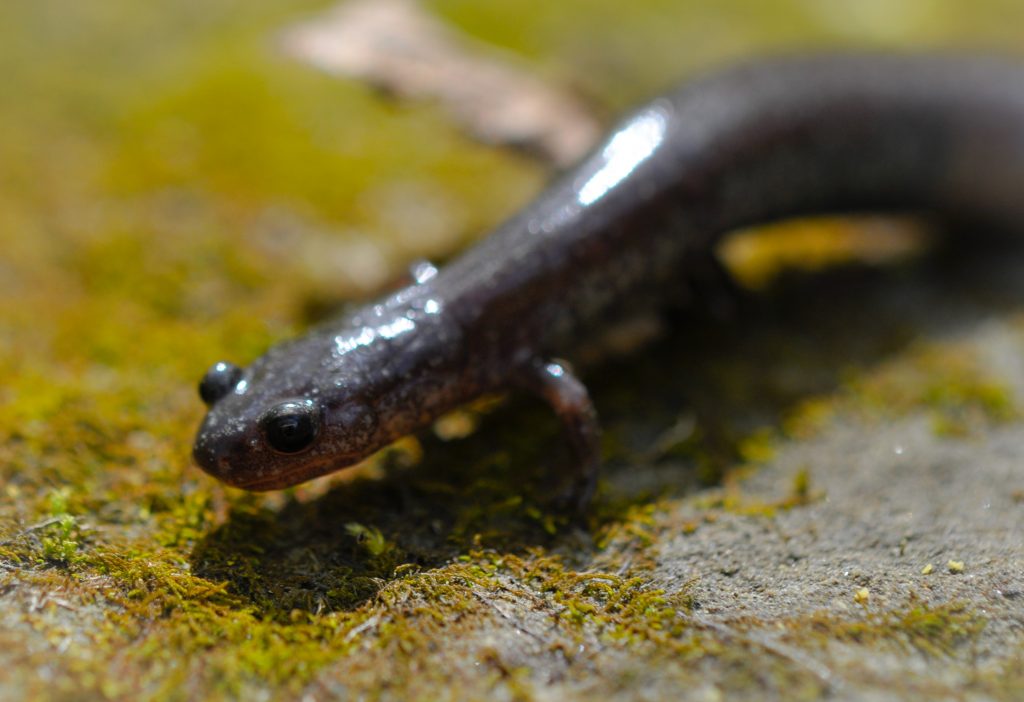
<point x="172" y="190"/>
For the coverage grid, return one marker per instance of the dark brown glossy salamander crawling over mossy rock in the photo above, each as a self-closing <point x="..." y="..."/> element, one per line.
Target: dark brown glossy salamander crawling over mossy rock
<point x="619" y="234"/>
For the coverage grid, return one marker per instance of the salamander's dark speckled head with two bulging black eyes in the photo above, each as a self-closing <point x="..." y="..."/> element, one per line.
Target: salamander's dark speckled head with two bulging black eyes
<point x="276" y="424"/>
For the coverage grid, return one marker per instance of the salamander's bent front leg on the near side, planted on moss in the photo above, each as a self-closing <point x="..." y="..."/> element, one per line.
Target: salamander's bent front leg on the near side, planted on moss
<point x="554" y="382"/>
